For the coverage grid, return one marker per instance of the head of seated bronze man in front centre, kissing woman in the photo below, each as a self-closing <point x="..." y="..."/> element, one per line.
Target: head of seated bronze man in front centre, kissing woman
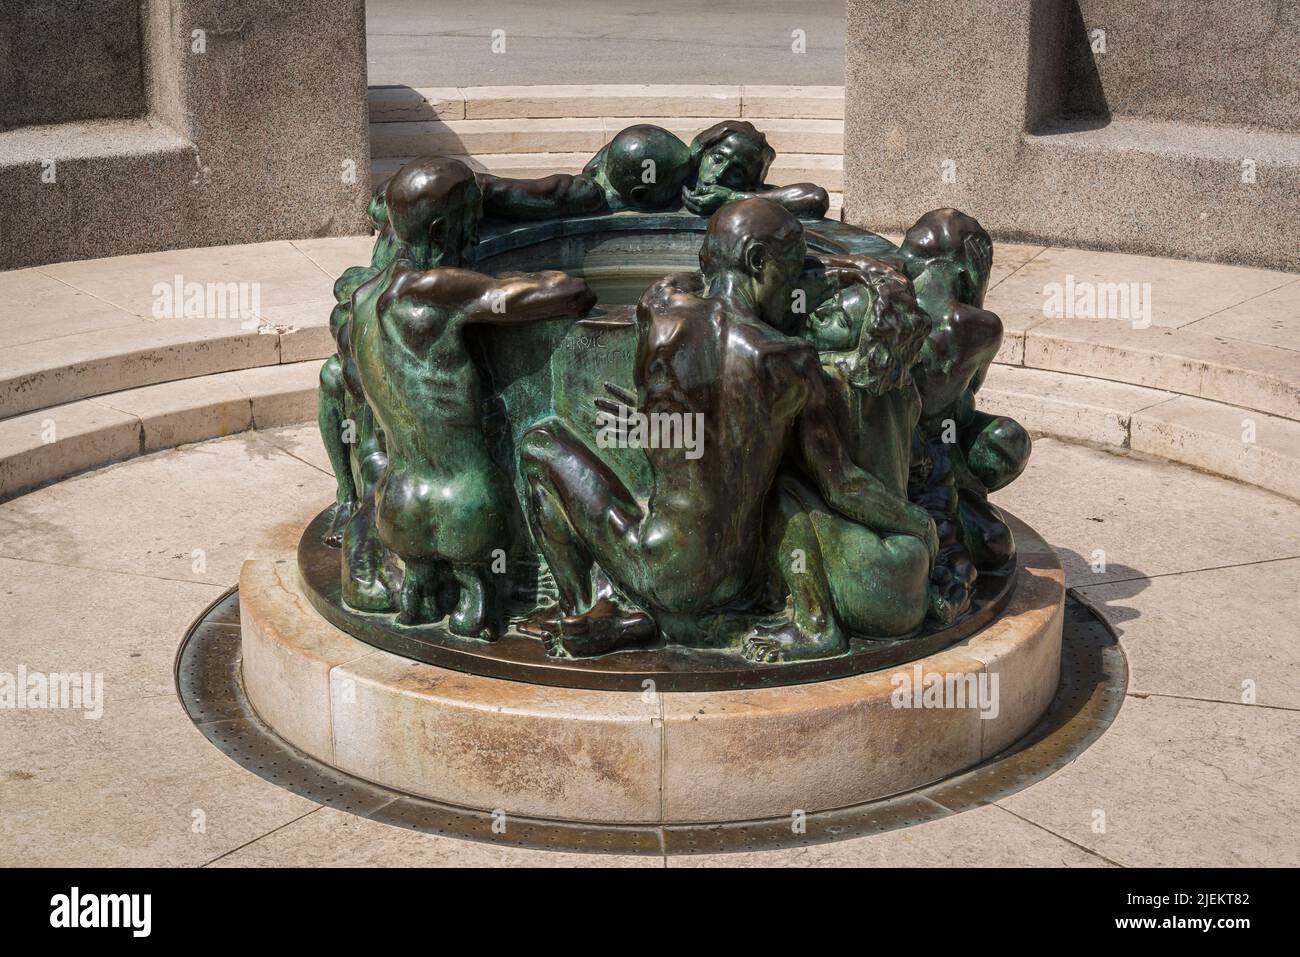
<point x="757" y="248"/>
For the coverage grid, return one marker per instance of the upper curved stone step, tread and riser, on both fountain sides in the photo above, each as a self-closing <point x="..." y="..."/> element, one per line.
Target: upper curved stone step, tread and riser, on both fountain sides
<point x="49" y="361"/>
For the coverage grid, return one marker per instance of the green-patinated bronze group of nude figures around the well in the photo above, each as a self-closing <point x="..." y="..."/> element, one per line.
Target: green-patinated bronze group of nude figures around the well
<point x="838" y="487"/>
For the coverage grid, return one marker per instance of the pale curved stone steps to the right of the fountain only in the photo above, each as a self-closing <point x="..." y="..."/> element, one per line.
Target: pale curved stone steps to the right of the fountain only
<point x="1214" y="383"/>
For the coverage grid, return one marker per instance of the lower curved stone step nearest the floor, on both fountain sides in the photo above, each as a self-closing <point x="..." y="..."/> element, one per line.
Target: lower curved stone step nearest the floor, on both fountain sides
<point x="51" y="444"/>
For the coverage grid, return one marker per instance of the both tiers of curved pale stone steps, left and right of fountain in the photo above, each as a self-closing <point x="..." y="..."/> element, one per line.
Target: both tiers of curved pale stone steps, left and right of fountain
<point x="89" y="376"/>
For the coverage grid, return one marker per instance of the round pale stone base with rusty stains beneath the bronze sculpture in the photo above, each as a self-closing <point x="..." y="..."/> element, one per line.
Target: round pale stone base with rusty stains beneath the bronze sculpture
<point x="649" y="756"/>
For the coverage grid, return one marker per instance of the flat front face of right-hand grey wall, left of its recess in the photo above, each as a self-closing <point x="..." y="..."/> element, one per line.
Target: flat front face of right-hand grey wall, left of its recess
<point x="931" y="92"/>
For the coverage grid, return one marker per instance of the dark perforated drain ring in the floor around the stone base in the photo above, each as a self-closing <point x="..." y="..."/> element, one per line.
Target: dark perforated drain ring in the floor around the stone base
<point x="1094" y="681"/>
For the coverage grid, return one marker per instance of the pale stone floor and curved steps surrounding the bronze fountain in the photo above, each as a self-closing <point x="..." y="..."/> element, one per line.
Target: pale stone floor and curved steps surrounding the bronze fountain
<point x="105" y="571"/>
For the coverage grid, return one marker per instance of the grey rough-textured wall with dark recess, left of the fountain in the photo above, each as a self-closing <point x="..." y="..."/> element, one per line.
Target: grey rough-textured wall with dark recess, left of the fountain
<point x="255" y="129"/>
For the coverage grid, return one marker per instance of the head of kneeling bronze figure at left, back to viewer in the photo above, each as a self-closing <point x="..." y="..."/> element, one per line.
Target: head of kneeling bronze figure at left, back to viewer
<point x="434" y="207"/>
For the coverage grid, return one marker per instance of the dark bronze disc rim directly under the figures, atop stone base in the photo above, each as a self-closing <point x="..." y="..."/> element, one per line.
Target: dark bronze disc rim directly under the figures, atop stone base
<point x="518" y="657"/>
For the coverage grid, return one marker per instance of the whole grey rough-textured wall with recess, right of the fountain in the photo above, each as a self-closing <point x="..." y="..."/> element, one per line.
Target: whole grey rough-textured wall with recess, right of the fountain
<point x="1002" y="109"/>
